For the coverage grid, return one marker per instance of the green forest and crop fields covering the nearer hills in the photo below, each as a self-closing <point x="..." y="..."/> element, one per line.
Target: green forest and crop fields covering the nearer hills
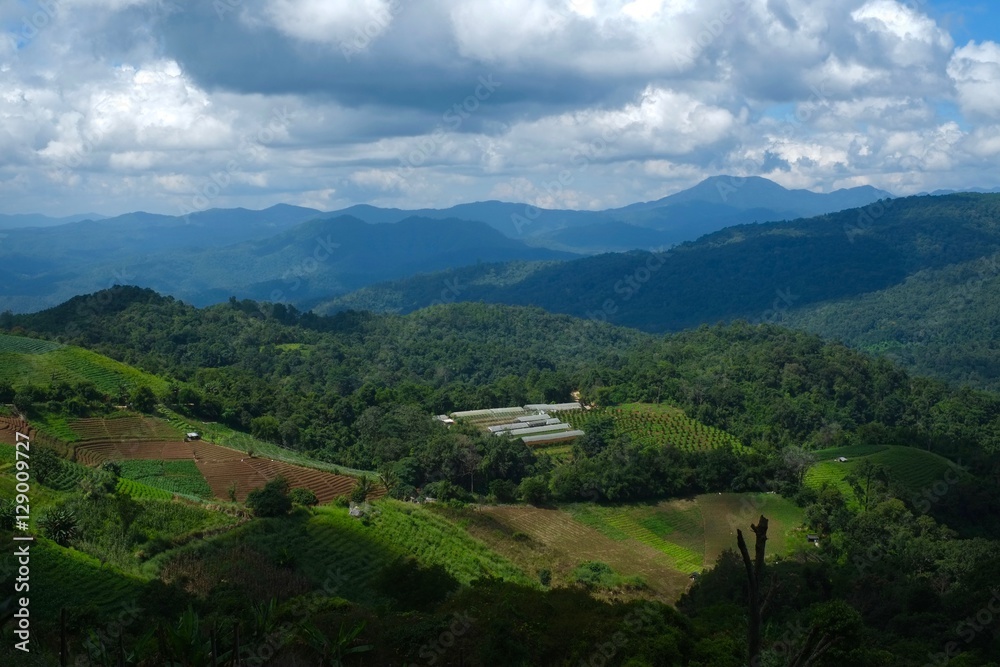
<point x="523" y="559"/>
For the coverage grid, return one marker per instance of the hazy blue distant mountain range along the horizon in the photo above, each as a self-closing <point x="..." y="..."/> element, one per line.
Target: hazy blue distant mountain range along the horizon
<point x="308" y="256"/>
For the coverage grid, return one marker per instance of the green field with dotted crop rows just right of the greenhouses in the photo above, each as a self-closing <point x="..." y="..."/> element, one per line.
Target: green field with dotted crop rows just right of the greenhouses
<point x="657" y="425"/>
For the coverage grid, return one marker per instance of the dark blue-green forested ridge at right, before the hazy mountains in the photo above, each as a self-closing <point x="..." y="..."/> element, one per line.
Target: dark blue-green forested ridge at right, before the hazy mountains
<point x="909" y="276"/>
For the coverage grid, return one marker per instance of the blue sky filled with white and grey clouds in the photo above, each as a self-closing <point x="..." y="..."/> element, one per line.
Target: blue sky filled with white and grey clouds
<point x="173" y="106"/>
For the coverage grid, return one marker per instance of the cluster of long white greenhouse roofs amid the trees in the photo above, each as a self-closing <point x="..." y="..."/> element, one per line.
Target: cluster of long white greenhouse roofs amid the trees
<point x="533" y="423"/>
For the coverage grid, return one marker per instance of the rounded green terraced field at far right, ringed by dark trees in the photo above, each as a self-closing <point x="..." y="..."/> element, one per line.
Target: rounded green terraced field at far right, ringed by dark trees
<point x="908" y="467"/>
